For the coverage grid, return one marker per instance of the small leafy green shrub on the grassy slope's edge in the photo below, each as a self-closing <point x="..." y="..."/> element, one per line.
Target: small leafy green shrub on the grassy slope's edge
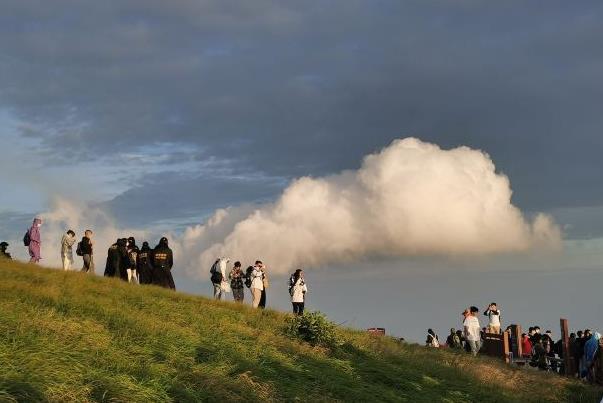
<point x="314" y="328"/>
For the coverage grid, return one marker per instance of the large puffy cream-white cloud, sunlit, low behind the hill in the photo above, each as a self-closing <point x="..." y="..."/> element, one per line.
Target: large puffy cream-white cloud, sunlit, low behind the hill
<point x="411" y="198"/>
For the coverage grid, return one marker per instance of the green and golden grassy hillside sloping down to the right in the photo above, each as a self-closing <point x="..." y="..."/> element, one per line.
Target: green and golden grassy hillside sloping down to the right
<point x="73" y="337"/>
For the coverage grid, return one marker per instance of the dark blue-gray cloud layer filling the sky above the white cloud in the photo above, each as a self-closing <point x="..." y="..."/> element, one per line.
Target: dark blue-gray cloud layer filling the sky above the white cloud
<point x="289" y="88"/>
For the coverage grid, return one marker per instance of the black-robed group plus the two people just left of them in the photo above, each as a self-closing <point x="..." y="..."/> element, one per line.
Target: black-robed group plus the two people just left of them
<point x="125" y="260"/>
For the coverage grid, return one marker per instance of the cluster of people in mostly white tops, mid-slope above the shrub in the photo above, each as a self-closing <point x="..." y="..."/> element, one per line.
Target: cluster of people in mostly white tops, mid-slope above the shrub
<point x="255" y="277"/>
